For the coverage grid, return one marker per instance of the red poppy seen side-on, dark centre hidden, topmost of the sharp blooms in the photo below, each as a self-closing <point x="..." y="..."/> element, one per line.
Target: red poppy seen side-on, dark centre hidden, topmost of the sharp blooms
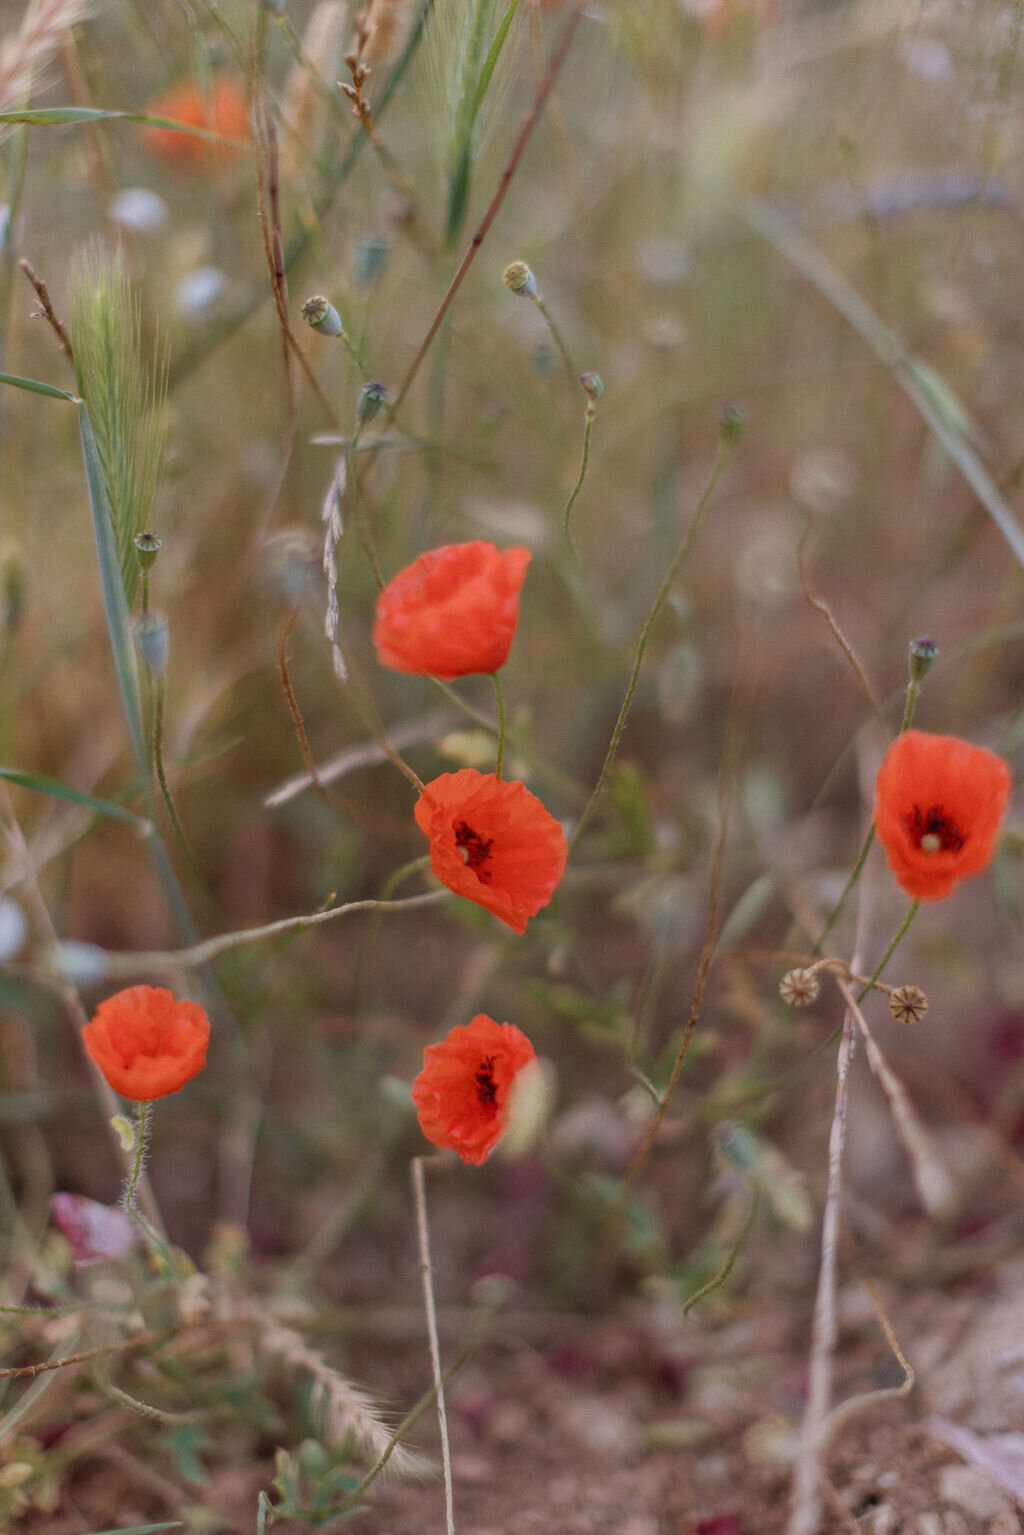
<point x="452" y="612"/>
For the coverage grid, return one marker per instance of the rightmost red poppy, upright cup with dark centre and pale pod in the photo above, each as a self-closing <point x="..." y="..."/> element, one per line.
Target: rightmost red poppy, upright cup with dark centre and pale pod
<point x="939" y="804"/>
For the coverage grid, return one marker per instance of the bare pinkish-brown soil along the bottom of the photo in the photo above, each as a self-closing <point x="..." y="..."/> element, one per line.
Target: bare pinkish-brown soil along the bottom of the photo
<point x="644" y="1424"/>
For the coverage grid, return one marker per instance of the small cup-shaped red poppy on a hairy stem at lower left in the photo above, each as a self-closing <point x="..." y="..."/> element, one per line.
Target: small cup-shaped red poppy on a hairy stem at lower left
<point x="148" y="1043"/>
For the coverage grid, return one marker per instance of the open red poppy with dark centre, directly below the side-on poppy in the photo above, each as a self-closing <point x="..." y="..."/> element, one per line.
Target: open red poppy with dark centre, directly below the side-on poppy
<point x="492" y="842"/>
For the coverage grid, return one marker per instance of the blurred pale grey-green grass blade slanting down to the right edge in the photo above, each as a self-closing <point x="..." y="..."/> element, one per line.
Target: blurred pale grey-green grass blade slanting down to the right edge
<point x="891" y="352"/>
